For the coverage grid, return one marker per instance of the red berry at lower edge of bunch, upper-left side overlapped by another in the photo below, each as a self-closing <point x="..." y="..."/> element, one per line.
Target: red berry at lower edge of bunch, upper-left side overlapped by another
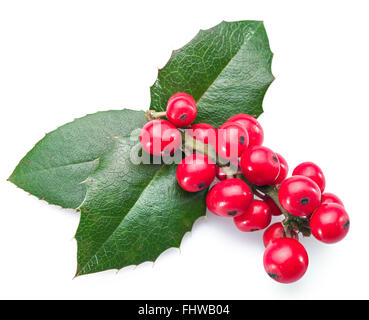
<point x="256" y="217"/>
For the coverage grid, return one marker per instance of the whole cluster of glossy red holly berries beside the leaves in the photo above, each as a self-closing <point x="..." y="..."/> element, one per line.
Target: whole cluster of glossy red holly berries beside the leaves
<point x="239" y="142"/>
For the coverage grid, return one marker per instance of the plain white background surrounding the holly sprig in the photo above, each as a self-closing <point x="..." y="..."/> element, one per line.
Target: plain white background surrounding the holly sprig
<point x="63" y="59"/>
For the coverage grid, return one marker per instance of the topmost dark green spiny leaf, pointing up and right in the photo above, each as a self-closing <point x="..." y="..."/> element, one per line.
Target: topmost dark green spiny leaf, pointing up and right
<point x="227" y="69"/>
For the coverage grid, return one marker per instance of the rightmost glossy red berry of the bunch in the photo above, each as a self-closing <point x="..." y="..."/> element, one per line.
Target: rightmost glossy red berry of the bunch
<point x="330" y="223"/>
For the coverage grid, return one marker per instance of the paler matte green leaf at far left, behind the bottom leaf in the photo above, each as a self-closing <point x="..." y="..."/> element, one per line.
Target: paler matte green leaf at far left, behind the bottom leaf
<point x="54" y="169"/>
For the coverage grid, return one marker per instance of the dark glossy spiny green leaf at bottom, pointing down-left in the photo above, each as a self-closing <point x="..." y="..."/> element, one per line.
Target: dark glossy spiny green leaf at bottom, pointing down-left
<point x="132" y="213"/>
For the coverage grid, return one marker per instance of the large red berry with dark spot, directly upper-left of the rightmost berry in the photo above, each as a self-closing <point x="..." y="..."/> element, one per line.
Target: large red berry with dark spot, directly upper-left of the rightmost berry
<point x="299" y="195"/>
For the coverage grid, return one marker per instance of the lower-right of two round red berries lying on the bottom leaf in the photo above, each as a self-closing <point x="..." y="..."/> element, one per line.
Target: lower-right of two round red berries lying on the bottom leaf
<point x="195" y="172"/>
